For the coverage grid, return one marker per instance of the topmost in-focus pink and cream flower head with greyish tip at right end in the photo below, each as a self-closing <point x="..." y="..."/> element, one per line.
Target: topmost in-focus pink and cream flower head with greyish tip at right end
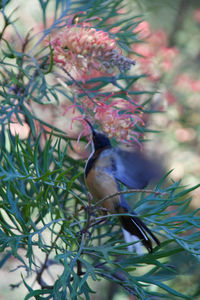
<point x="80" y="49"/>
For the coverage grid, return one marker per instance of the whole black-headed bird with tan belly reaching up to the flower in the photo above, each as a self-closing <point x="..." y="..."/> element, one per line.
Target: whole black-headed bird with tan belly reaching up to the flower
<point x="105" y="169"/>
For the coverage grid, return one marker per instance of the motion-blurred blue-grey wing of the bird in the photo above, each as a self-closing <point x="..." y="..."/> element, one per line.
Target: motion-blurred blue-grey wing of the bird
<point x="133" y="169"/>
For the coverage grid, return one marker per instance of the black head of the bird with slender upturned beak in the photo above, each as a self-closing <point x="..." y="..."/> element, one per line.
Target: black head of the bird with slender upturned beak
<point x="100" y="140"/>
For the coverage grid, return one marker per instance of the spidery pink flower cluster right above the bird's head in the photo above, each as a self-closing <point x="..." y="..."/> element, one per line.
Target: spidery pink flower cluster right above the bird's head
<point x="117" y="118"/>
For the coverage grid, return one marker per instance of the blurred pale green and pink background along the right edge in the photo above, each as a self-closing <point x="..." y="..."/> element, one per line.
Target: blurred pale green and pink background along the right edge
<point x="173" y="60"/>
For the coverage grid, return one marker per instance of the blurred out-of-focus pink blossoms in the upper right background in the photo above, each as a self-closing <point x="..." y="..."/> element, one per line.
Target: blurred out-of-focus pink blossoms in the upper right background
<point x="161" y="63"/>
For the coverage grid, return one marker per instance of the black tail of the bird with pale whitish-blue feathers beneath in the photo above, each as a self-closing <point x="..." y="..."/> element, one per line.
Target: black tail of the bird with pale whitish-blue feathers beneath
<point x="136" y="227"/>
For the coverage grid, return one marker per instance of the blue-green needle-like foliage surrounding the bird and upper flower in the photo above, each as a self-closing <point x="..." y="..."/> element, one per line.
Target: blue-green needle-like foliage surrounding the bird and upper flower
<point x="47" y="220"/>
